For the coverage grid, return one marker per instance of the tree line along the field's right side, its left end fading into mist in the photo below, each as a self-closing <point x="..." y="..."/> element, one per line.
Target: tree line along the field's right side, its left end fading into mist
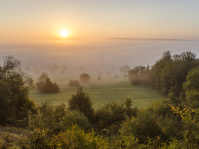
<point x="171" y="76"/>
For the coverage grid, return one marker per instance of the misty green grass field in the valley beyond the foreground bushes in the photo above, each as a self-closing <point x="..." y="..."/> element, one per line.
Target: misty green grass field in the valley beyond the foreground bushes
<point x="102" y="94"/>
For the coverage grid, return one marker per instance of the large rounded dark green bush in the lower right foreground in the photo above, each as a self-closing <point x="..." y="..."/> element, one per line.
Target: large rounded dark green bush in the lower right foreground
<point x="156" y="121"/>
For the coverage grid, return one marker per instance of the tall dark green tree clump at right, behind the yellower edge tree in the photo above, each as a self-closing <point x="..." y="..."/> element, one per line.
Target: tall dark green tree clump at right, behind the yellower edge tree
<point x="169" y="73"/>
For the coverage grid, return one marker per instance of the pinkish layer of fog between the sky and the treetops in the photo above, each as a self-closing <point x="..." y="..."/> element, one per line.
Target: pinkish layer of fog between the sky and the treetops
<point x="96" y="57"/>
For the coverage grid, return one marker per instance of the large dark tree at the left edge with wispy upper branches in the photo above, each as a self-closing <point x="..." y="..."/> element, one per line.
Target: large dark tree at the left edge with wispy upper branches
<point x="14" y="90"/>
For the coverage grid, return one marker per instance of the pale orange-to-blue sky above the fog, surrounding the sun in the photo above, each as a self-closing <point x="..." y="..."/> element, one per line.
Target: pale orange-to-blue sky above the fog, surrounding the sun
<point x="42" y="19"/>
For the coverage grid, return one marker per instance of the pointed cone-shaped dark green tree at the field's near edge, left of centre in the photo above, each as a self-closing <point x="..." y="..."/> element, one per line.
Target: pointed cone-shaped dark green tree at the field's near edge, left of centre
<point x="81" y="101"/>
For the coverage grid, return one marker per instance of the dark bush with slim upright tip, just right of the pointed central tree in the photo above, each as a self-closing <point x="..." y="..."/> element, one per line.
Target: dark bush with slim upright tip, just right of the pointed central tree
<point x="112" y="115"/>
